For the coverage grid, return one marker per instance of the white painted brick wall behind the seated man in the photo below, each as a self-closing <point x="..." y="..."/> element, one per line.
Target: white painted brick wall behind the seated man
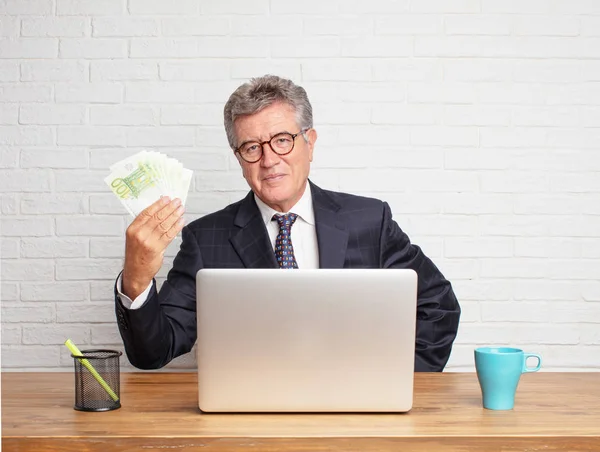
<point x="477" y="120"/>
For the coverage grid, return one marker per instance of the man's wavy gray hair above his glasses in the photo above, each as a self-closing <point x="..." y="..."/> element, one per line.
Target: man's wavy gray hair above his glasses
<point x="261" y="92"/>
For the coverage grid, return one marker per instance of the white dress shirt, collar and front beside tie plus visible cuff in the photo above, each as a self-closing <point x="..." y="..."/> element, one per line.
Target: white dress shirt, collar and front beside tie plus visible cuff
<point x="303" y="235"/>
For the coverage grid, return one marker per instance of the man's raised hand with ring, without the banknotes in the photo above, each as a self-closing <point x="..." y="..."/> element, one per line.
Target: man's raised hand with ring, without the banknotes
<point x="146" y="239"/>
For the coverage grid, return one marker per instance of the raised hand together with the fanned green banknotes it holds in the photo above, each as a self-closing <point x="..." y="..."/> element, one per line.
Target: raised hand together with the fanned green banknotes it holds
<point x="153" y="188"/>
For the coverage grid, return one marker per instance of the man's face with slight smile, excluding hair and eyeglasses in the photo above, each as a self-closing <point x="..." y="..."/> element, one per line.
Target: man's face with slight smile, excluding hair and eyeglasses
<point x="278" y="180"/>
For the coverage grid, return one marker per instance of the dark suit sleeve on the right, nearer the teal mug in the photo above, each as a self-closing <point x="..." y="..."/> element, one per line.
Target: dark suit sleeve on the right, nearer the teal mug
<point x="438" y="311"/>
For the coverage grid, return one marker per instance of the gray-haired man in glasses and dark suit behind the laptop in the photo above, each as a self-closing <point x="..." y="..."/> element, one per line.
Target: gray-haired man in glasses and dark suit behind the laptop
<point x="269" y="126"/>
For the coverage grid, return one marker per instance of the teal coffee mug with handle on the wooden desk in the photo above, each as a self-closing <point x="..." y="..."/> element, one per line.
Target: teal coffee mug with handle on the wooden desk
<point x="499" y="370"/>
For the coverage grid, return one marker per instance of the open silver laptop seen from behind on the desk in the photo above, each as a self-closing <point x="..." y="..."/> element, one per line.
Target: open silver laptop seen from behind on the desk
<point x="272" y="340"/>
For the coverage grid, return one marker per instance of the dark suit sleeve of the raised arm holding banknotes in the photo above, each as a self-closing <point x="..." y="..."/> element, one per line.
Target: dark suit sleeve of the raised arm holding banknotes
<point x="165" y="326"/>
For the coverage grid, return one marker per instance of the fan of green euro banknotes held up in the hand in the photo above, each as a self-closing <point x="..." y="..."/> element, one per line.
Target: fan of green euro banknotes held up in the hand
<point x="143" y="178"/>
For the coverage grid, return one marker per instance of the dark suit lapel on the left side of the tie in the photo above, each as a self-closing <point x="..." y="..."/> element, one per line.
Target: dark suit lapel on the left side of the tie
<point x="251" y="242"/>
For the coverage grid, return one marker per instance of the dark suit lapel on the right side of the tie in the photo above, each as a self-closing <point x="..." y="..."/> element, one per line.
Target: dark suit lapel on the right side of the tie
<point x="332" y="237"/>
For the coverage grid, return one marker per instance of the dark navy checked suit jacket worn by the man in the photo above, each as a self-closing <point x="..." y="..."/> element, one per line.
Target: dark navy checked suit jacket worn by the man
<point x="352" y="232"/>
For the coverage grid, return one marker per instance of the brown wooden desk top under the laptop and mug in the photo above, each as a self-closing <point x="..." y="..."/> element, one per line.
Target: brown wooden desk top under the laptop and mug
<point x="553" y="411"/>
